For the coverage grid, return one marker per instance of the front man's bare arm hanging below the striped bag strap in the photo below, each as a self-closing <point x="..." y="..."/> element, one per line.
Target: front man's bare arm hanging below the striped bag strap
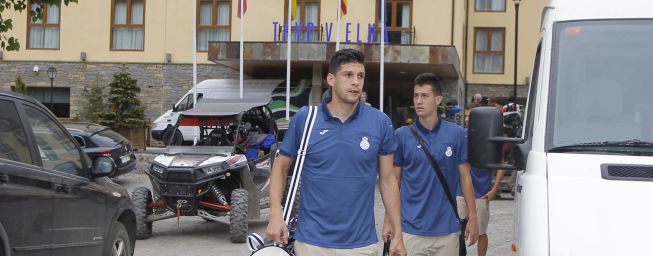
<point x="277" y="230"/>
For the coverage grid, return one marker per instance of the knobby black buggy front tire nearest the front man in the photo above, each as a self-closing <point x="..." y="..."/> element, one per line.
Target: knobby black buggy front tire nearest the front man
<point x="238" y="215"/>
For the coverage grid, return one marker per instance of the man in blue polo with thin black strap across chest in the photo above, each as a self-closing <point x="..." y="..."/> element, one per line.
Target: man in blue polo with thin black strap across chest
<point x="428" y="220"/>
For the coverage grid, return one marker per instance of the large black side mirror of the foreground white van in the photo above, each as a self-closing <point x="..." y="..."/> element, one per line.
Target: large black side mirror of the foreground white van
<point x="485" y="139"/>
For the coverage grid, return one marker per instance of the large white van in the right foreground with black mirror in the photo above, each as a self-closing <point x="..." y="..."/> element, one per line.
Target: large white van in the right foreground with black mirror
<point x="587" y="146"/>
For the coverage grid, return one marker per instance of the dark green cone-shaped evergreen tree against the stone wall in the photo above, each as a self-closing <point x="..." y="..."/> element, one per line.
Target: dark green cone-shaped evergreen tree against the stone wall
<point x="126" y="109"/>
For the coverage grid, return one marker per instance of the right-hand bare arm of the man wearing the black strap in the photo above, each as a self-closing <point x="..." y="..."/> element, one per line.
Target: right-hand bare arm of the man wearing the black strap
<point x="468" y="193"/>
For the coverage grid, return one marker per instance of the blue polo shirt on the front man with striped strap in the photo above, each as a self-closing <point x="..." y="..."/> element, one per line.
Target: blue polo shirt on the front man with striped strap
<point x="339" y="175"/>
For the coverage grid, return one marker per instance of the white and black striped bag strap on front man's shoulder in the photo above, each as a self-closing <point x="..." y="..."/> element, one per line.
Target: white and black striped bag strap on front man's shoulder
<point x="299" y="163"/>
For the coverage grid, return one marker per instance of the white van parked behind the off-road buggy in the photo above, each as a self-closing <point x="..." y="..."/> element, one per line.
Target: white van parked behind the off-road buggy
<point x="162" y="127"/>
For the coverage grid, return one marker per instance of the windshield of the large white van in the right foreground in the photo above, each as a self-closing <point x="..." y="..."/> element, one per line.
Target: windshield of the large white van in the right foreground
<point x="602" y="85"/>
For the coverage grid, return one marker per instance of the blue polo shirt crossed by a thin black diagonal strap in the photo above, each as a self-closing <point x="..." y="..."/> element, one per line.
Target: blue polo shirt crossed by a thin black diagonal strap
<point x="425" y="209"/>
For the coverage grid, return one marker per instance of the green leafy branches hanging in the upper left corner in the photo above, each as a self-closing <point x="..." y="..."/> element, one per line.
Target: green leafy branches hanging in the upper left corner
<point x="11" y="43"/>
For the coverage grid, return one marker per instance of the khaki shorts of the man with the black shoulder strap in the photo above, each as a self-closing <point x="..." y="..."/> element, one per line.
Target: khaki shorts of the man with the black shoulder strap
<point x="446" y="245"/>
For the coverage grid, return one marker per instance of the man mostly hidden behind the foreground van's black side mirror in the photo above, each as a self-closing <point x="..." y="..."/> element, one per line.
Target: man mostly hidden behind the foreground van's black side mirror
<point x="484" y="192"/>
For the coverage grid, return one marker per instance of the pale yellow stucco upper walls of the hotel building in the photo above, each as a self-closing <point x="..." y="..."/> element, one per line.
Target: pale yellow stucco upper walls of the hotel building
<point x="85" y="26"/>
